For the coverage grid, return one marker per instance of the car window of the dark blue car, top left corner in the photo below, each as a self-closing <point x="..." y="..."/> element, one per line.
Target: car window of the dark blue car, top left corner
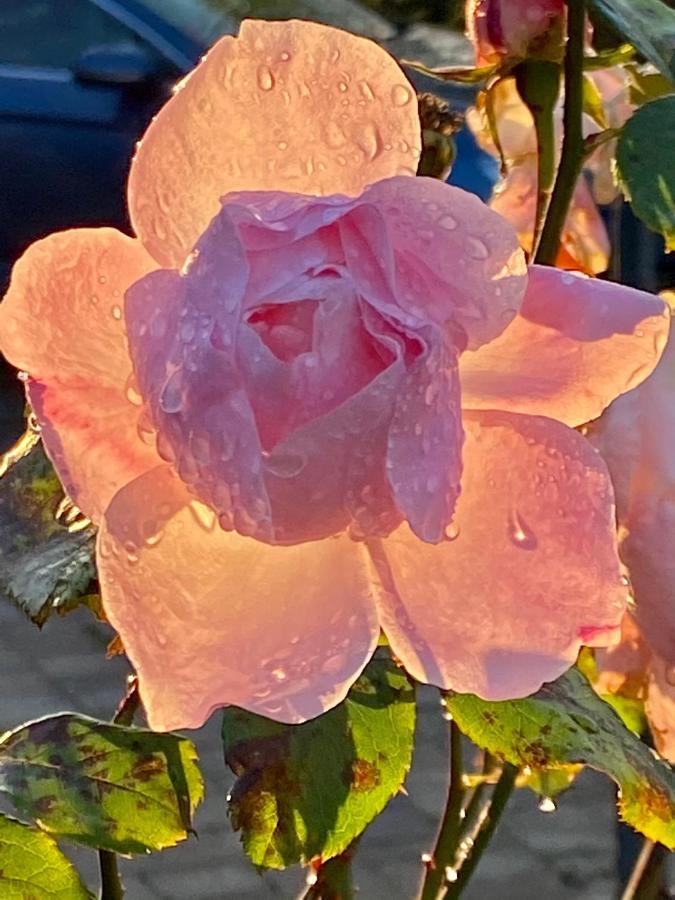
<point x="54" y="33"/>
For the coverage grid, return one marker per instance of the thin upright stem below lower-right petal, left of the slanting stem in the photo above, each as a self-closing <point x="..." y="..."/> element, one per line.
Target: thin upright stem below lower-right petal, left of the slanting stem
<point x="449" y="832"/>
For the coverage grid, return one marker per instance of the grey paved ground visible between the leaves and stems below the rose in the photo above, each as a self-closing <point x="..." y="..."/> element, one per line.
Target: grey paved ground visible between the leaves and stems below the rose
<point x="567" y="855"/>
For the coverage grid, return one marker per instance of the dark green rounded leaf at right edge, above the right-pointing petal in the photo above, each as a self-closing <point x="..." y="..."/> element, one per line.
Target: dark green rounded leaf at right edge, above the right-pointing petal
<point x="645" y="170"/>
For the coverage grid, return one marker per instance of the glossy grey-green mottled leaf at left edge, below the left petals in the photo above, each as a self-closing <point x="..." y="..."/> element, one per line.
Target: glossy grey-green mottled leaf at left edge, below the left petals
<point x="44" y="567"/>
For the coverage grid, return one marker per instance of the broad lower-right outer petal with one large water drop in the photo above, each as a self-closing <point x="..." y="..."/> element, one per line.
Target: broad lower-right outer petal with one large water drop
<point x="532" y="568"/>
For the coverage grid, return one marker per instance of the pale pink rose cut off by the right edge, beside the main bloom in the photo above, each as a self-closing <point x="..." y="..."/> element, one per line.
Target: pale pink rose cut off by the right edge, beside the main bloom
<point x="635" y="436"/>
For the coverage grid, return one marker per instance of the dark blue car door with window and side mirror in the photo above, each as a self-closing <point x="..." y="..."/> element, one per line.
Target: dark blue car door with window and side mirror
<point x="67" y="132"/>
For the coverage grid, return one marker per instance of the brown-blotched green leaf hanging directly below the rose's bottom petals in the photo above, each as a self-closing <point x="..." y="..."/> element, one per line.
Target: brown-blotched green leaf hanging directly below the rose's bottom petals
<point x="309" y="790"/>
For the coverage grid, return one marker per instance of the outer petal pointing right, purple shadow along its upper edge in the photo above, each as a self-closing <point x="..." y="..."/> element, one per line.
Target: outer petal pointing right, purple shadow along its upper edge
<point x="574" y="346"/>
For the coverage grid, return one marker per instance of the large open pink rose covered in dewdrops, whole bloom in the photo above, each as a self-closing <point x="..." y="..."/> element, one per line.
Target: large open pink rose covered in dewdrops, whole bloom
<point x="317" y="397"/>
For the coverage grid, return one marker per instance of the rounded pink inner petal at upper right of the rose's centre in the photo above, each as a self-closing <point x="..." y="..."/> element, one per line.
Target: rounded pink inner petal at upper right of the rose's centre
<point x="455" y="261"/>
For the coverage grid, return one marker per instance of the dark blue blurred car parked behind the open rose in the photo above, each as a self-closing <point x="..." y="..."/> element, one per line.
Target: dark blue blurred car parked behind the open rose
<point x="79" y="82"/>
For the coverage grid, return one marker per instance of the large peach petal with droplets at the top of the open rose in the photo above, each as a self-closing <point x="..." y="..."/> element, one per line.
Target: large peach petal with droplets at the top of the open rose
<point x="296" y="106"/>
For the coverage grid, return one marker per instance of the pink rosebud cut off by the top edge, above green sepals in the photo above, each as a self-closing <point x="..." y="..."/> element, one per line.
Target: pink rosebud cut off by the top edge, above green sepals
<point x="509" y="30"/>
